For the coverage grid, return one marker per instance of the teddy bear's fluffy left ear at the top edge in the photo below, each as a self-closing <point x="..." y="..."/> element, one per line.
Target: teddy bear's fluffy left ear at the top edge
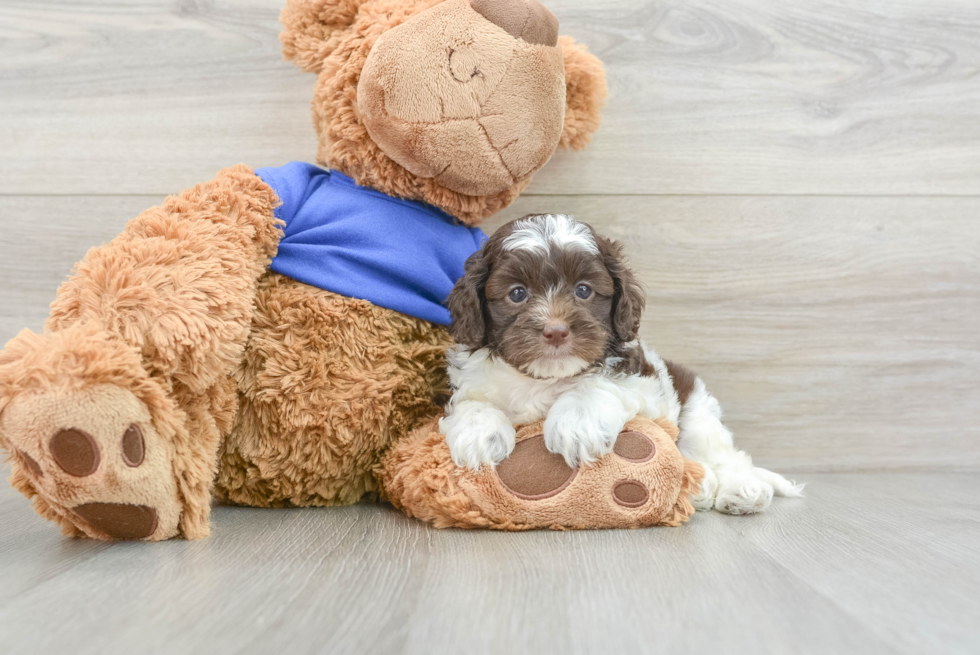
<point x="308" y="27"/>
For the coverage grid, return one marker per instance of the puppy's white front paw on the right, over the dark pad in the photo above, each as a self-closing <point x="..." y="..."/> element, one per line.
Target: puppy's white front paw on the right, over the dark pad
<point x="581" y="432"/>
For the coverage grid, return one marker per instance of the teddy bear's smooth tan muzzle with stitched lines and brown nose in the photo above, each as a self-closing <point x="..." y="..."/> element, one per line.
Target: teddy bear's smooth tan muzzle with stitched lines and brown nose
<point x="470" y="93"/>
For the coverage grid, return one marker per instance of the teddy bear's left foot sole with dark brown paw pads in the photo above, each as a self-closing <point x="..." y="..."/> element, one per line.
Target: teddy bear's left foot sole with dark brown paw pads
<point x="88" y="454"/>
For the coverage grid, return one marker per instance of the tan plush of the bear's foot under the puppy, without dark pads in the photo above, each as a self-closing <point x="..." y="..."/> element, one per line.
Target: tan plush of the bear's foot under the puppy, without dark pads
<point x="420" y="477"/>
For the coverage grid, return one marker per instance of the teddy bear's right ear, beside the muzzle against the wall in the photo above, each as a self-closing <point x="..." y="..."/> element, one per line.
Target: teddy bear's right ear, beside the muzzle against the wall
<point x="585" y="93"/>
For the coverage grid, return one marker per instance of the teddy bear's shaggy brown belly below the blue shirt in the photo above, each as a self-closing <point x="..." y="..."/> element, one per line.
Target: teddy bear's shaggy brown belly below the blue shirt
<point x="326" y="384"/>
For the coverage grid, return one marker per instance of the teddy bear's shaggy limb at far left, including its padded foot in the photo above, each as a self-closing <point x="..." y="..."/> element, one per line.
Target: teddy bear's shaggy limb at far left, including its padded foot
<point x="113" y="417"/>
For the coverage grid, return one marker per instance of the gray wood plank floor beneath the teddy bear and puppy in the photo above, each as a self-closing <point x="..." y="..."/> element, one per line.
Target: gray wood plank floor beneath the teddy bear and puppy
<point x="867" y="563"/>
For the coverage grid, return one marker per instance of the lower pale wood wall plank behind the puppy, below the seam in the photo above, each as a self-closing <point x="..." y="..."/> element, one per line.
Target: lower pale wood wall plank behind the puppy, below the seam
<point x="838" y="333"/>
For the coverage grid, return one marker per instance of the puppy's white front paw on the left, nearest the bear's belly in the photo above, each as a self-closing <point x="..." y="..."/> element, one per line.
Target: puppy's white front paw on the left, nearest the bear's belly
<point x="478" y="434"/>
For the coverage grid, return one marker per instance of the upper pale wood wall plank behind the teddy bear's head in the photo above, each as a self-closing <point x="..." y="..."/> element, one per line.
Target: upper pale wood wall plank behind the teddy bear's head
<point x="707" y="97"/>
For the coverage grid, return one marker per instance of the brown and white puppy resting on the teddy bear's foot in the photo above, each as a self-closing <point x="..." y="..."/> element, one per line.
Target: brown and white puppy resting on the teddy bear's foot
<point x="546" y="323"/>
